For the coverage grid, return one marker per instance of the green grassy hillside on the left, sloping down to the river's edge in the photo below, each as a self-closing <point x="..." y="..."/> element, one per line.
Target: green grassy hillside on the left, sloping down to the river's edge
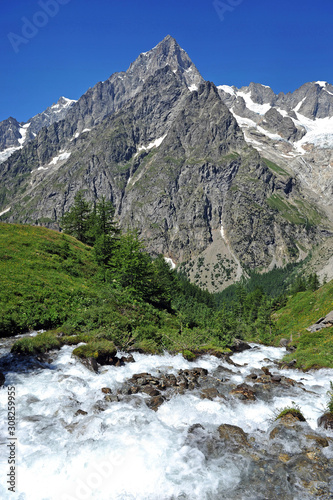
<point x="50" y="281"/>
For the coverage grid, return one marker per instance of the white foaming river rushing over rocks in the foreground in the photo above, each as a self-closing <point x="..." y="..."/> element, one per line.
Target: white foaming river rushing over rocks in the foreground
<point x="124" y="450"/>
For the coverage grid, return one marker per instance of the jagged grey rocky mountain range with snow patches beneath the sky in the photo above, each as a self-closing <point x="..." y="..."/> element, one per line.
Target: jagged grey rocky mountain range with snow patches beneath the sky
<point x="220" y="180"/>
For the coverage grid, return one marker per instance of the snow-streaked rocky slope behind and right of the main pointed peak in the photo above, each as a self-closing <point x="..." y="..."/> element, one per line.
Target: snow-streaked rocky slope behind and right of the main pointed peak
<point x="293" y="130"/>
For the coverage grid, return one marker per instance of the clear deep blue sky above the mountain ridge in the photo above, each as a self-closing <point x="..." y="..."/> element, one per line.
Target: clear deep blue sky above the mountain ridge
<point x="278" y="43"/>
